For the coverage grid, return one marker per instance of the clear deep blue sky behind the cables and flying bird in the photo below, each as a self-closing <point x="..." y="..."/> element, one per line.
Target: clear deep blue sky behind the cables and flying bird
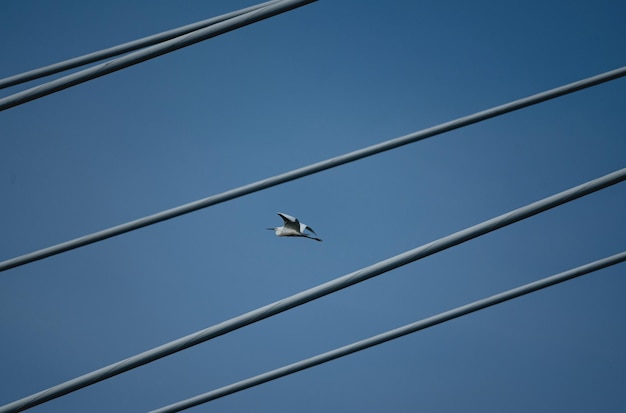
<point x="299" y="88"/>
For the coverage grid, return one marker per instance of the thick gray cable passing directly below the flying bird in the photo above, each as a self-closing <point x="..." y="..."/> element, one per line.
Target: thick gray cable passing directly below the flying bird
<point x="315" y="292"/>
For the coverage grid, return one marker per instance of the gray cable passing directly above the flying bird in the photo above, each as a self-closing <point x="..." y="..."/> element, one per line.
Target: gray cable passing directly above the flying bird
<point x="310" y="169"/>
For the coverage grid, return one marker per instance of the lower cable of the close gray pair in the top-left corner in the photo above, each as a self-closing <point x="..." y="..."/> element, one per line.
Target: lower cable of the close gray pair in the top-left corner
<point x="151" y="52"/>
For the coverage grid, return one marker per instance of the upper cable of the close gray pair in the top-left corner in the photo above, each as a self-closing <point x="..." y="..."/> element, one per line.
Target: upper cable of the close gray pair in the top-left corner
<point x="122" y="48"/>
